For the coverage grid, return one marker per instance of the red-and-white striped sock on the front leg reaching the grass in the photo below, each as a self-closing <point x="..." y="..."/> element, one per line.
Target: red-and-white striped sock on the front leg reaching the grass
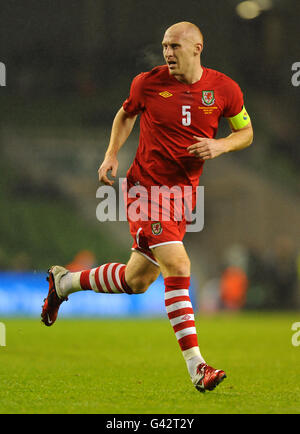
<point x="181" y="315"/>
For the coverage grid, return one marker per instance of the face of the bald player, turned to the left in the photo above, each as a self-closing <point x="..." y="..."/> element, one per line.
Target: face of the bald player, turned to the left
<point x="179" y="53"/>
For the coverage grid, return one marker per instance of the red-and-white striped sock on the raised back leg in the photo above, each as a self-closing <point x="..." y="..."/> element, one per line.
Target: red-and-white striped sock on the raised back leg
<point x="108" y="278"/>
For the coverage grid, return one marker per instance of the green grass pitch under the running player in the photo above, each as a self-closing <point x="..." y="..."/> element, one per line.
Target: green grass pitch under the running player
<point x="135" y="366"/>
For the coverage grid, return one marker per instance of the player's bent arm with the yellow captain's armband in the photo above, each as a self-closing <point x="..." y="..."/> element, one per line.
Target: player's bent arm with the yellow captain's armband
<point x="240" y="138"/>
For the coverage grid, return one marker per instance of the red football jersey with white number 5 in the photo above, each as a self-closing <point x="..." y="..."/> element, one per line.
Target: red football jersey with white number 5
<point x="171" y="114"/>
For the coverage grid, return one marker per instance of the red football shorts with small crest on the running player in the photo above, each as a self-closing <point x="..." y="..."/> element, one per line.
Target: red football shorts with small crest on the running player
<point x="148" y="233"/>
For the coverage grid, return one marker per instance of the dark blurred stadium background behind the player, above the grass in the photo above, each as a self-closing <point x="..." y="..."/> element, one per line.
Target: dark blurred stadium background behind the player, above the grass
<point x="69" y="66"/>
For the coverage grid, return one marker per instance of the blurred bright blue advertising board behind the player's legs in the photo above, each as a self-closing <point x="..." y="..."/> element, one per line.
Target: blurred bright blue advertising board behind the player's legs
<point x="22" y="294"/>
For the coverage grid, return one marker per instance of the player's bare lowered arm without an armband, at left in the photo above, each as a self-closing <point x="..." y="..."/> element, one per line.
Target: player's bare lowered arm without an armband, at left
<point x="122" y="126"/>
